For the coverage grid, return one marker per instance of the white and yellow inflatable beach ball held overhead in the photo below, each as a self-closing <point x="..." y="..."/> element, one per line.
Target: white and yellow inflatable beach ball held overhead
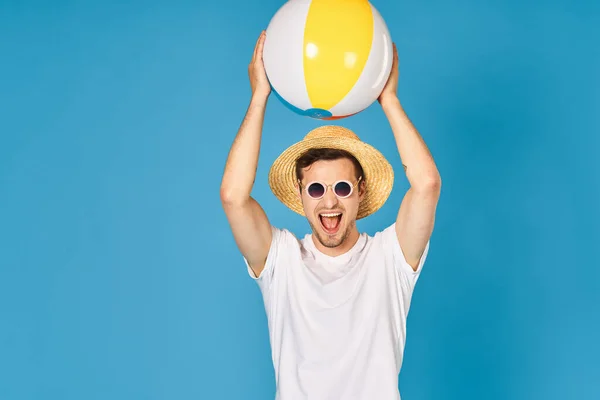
<point x="327" y="59"/>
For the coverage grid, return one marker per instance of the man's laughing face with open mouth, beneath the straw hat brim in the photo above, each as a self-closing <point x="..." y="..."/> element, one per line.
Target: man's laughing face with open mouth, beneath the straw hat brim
<point x="331" y="218"/>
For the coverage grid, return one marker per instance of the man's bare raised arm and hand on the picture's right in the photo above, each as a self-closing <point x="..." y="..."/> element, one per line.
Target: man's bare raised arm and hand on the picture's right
<point x="416" y="216"/>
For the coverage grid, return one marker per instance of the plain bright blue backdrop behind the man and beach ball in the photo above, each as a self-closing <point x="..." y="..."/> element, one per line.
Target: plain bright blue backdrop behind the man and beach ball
<point x="119" y="278"/>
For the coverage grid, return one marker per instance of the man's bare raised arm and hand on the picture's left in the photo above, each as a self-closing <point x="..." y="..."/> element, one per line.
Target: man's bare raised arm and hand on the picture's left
<point x="249" y="224"/>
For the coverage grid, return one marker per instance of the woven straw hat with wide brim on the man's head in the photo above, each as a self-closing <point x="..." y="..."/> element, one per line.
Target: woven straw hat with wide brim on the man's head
<point x="378" y="173"/>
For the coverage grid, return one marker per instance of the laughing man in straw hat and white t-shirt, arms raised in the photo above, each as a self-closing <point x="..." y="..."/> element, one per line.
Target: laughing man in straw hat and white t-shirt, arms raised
<point x="336" y="300"/>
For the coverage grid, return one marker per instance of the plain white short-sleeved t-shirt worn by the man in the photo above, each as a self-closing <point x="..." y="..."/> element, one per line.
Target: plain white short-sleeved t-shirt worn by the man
<point x="337" y="325"/>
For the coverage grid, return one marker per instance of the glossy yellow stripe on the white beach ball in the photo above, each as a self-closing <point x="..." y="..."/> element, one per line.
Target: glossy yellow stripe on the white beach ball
<point x="337" y="42"/>
